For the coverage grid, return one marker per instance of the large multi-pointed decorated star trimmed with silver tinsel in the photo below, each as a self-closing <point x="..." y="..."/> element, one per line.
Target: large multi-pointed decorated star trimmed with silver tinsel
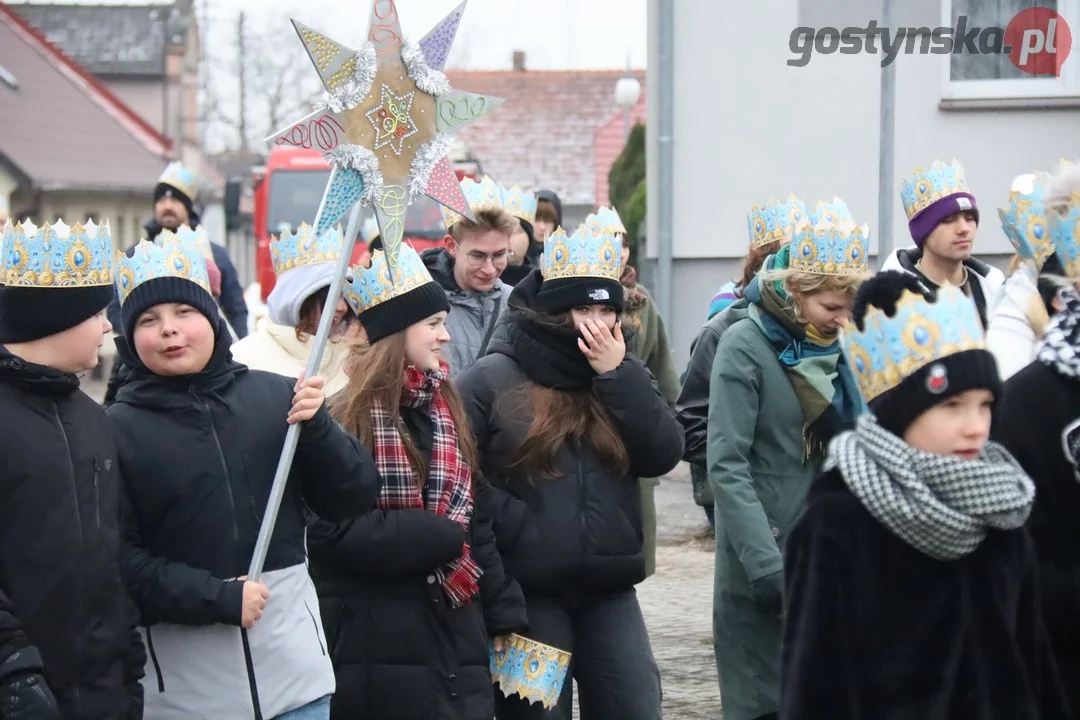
<point x="386" y="123"/>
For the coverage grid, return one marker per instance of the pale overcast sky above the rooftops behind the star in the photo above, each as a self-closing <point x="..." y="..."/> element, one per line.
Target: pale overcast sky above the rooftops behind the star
<point x="555" y="35"/>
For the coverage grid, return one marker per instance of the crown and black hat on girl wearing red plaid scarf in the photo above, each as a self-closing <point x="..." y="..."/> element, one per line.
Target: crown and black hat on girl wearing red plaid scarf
<point x="387" y="306"/>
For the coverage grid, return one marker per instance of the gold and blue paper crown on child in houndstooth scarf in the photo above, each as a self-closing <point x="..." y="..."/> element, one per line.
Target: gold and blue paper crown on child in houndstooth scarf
<point x="889" y="349"/>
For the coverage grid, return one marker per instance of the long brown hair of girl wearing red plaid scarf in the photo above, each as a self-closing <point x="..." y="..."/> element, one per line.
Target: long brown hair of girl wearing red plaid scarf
<point x="377" y="374"/>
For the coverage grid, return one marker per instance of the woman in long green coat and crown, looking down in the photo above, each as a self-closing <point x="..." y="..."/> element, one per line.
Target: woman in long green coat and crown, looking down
<point x="780" y="391"/>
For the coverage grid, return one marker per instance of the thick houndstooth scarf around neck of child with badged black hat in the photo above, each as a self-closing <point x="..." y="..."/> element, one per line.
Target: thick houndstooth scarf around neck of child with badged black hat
<point x="940" y="506"/>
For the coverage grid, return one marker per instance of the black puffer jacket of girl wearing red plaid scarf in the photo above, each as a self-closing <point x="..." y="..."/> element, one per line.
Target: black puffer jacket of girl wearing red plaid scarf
<point x="400" y="651"/>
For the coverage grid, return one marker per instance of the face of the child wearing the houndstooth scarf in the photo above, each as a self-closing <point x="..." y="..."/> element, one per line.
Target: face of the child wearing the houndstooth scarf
<point x="958" y="427"/>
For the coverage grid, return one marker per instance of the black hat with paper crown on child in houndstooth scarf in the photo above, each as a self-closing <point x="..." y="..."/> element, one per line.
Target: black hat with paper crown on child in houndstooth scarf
<point x="911" y="349"/>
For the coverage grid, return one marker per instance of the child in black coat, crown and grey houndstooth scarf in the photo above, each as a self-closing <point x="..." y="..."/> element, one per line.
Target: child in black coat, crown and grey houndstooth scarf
<point x="912" y="585"/>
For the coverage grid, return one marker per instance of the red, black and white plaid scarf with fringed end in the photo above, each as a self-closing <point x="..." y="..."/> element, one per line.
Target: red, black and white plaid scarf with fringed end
<point x="450" y="480"/>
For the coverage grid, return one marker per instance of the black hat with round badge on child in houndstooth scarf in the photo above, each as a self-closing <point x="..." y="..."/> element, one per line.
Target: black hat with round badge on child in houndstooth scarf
<point x="935" y="383"/>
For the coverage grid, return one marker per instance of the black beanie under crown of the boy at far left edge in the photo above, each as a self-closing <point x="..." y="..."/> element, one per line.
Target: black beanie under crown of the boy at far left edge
<point x="33" y="314"/>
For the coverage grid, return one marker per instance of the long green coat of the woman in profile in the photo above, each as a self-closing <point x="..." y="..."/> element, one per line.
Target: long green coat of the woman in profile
<point x="760" y="481"/>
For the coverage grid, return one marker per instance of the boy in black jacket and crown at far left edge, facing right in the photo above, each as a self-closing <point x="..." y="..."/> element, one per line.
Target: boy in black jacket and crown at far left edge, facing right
<point x="69" y="646"/>
